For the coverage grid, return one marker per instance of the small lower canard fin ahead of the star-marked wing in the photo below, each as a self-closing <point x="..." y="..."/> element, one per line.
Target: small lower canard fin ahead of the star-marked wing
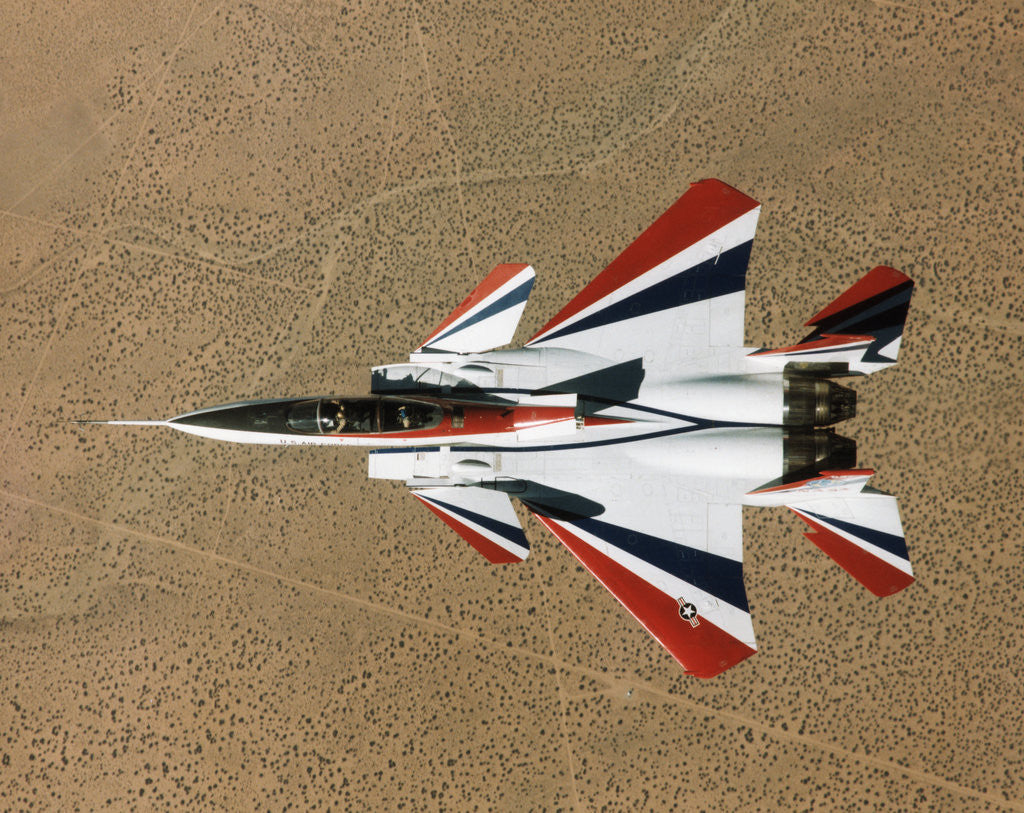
<point x="485" y="519"/>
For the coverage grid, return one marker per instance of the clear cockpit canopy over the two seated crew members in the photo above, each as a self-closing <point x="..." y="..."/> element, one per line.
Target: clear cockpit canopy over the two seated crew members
<point x="361" y="416"/>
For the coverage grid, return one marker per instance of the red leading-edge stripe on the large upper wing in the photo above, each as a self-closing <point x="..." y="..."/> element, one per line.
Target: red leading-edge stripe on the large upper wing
<point x="704" y="209"/>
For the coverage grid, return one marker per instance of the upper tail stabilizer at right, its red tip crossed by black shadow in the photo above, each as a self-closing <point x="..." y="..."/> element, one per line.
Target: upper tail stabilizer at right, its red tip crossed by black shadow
<point x="858" y="334"/>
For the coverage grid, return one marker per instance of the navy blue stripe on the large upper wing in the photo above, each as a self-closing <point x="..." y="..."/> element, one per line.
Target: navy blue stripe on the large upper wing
<point x="716" y="277"/>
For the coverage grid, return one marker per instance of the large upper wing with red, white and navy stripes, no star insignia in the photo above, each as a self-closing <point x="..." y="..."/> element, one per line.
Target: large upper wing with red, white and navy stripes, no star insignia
<point x="680" y="285"/>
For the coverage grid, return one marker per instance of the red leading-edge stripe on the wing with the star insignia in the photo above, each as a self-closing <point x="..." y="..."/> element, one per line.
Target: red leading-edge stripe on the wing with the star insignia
<point x="705" y="651"/>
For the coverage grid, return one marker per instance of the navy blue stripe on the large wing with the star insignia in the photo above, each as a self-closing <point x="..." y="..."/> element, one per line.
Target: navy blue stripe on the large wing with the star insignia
<point x="717" y="576"/>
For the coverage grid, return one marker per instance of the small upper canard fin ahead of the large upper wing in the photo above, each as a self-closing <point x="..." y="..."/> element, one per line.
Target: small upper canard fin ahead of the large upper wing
<point x="488" y="318"/>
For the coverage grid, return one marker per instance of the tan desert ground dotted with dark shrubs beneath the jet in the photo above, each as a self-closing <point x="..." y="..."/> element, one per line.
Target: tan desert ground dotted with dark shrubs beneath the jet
<point x="209" y="201"/>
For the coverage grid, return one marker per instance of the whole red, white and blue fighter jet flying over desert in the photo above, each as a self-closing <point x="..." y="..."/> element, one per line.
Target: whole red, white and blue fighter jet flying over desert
<point x="635" y="425"/>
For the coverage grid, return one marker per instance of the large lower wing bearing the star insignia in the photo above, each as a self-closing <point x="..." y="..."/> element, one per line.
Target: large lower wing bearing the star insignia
<point x="670" y="554"/>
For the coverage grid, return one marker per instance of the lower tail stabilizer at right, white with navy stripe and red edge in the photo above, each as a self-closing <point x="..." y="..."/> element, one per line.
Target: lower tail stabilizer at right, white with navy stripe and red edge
<point x="864" y="535"/>
